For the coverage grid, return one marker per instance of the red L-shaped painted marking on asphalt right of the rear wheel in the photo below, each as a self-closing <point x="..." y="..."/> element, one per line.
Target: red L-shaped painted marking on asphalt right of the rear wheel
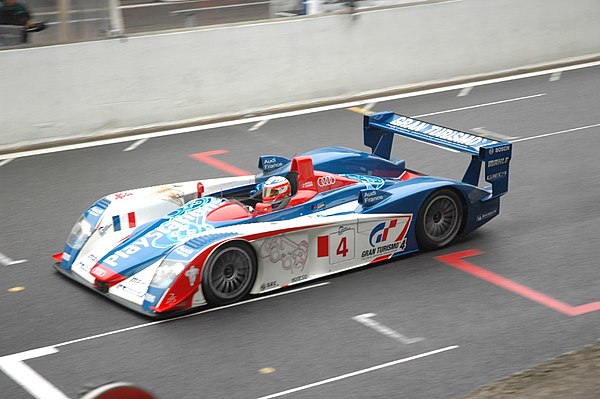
<point x="455" y="260"/>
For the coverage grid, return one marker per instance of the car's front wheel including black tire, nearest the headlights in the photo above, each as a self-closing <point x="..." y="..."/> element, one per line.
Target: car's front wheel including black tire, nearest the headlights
<point x="229" y="274"/>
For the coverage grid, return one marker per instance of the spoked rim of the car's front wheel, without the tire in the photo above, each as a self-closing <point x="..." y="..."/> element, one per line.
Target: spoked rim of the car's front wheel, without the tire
<point x="230" y="273"/>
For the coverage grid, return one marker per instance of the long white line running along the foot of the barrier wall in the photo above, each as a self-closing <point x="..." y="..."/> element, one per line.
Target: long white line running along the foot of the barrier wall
<point x="292" y="113"/>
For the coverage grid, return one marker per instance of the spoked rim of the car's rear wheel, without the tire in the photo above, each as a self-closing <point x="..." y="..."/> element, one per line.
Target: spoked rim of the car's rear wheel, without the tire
<point x="441" y="219"/>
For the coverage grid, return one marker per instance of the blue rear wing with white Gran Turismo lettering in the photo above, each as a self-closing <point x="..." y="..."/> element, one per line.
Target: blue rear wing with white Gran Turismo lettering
<point x="379" y="130"/>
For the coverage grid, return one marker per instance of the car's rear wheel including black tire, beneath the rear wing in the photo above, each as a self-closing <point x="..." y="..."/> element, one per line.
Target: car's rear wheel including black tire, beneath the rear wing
<point x="440" y="219"/>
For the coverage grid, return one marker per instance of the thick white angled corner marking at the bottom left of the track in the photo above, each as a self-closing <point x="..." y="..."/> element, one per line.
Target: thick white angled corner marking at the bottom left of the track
<point x="28" y="378"/>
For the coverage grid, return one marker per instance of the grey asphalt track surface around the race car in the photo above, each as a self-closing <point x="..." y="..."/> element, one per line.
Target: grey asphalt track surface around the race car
<point x="544" y="246"/>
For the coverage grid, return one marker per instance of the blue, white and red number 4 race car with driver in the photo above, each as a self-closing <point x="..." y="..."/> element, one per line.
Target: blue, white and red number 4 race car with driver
<point x="167" y="249"/>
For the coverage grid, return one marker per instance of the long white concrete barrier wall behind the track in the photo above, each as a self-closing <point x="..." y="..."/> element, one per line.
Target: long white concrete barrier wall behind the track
<point x="98" y="87"/>
